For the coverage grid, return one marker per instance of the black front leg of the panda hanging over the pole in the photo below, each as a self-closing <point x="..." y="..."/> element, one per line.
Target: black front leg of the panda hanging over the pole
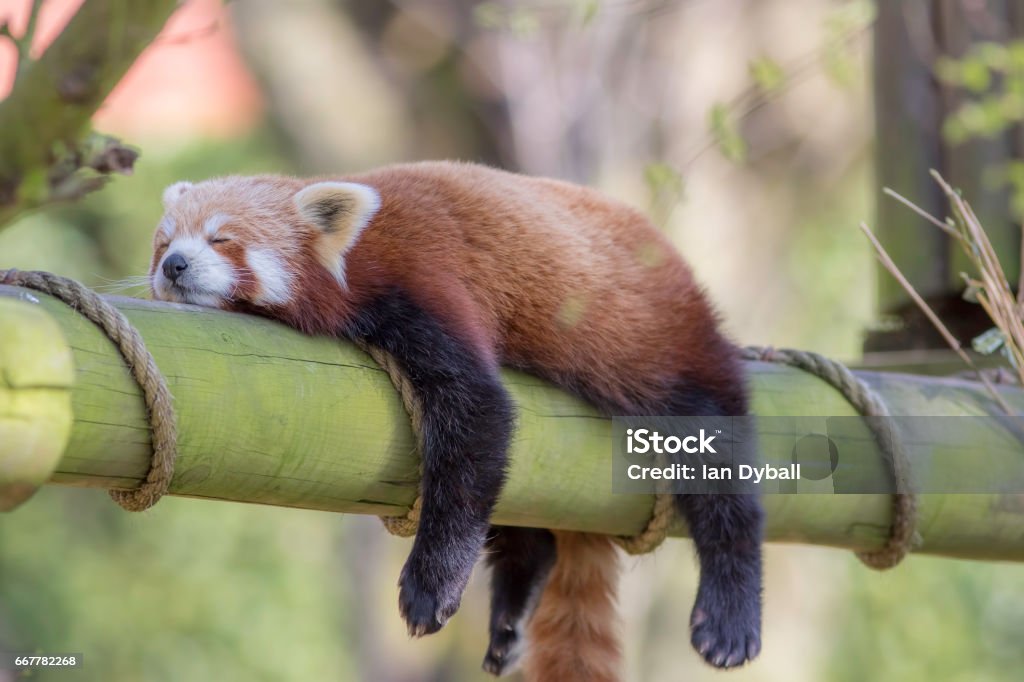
<point x="465" y="434"/>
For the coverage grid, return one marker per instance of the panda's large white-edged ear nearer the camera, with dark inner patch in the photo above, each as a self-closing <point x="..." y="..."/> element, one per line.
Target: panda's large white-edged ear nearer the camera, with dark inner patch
<point x="340" y="211"/>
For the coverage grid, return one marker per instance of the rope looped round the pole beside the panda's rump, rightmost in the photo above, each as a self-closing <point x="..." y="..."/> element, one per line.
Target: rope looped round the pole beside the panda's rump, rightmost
<point x="869" y="404"/>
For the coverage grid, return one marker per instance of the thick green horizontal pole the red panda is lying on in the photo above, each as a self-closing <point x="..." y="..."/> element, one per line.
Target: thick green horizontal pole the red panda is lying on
<point x="270" y="416"/>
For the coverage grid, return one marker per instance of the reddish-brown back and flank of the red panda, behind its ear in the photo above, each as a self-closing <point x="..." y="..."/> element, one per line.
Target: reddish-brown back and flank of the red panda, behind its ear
<point x="550" y="277"/>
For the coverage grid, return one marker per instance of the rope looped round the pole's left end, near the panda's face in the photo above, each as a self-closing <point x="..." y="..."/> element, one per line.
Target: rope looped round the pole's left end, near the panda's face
<point x="143" y="367"/>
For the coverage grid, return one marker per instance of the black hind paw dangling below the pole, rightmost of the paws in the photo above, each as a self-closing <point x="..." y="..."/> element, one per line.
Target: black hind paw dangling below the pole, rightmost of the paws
<point x="726" y="633"/>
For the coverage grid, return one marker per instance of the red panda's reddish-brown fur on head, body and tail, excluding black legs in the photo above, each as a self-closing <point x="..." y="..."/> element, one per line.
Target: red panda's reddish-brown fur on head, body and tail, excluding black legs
<point x="532" y="273"/>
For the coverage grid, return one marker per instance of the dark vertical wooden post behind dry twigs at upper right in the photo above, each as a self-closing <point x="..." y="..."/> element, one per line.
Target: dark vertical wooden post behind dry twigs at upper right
<point x="911" y="107"/>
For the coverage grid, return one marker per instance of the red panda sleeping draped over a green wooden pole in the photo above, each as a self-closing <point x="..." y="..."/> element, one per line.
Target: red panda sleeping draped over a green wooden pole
<point x="456" y="270"/>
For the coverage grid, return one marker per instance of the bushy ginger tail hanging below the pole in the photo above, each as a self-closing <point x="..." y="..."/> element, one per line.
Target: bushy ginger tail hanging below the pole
<point x="574" y="633"/>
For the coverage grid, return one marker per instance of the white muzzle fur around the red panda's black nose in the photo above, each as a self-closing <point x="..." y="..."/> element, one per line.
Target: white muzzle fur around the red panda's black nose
<point x="209" y="280"/>
